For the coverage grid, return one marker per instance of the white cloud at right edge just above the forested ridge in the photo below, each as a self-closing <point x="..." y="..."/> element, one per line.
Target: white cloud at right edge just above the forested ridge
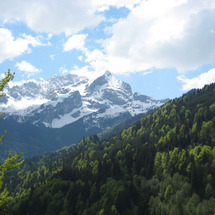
<point x="198" y="82"/>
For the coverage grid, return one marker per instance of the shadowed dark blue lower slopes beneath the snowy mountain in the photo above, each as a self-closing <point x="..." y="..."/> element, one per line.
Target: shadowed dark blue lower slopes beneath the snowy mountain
<point x="43" y="139"/>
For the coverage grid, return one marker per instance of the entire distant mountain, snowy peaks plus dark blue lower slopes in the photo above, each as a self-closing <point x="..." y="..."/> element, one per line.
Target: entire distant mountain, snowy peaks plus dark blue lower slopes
<point x="61" y="111"/>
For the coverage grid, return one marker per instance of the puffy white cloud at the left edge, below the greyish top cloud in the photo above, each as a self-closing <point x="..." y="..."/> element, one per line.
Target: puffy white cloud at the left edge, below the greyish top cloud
<point x="11" y="47"/>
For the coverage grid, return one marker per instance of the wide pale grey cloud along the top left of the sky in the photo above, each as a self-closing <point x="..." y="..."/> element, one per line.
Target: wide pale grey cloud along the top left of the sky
<point x="54" y="16"/>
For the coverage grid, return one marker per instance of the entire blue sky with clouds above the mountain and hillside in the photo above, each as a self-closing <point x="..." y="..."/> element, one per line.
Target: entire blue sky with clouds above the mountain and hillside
<point x="161" y="48"/>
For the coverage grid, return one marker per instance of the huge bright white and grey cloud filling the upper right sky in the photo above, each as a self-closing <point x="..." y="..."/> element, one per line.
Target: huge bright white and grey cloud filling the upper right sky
<point x="163" y="34"/>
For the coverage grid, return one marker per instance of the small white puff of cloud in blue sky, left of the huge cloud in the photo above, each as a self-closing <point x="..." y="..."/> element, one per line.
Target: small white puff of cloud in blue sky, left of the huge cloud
<point x="75" y="42"/>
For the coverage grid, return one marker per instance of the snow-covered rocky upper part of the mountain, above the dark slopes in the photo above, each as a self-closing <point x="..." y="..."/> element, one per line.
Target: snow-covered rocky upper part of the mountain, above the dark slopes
<point x="65" y="99"/>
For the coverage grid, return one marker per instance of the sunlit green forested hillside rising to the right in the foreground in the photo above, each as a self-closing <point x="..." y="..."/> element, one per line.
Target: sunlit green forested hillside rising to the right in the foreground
<point x="164" y="164"/>
